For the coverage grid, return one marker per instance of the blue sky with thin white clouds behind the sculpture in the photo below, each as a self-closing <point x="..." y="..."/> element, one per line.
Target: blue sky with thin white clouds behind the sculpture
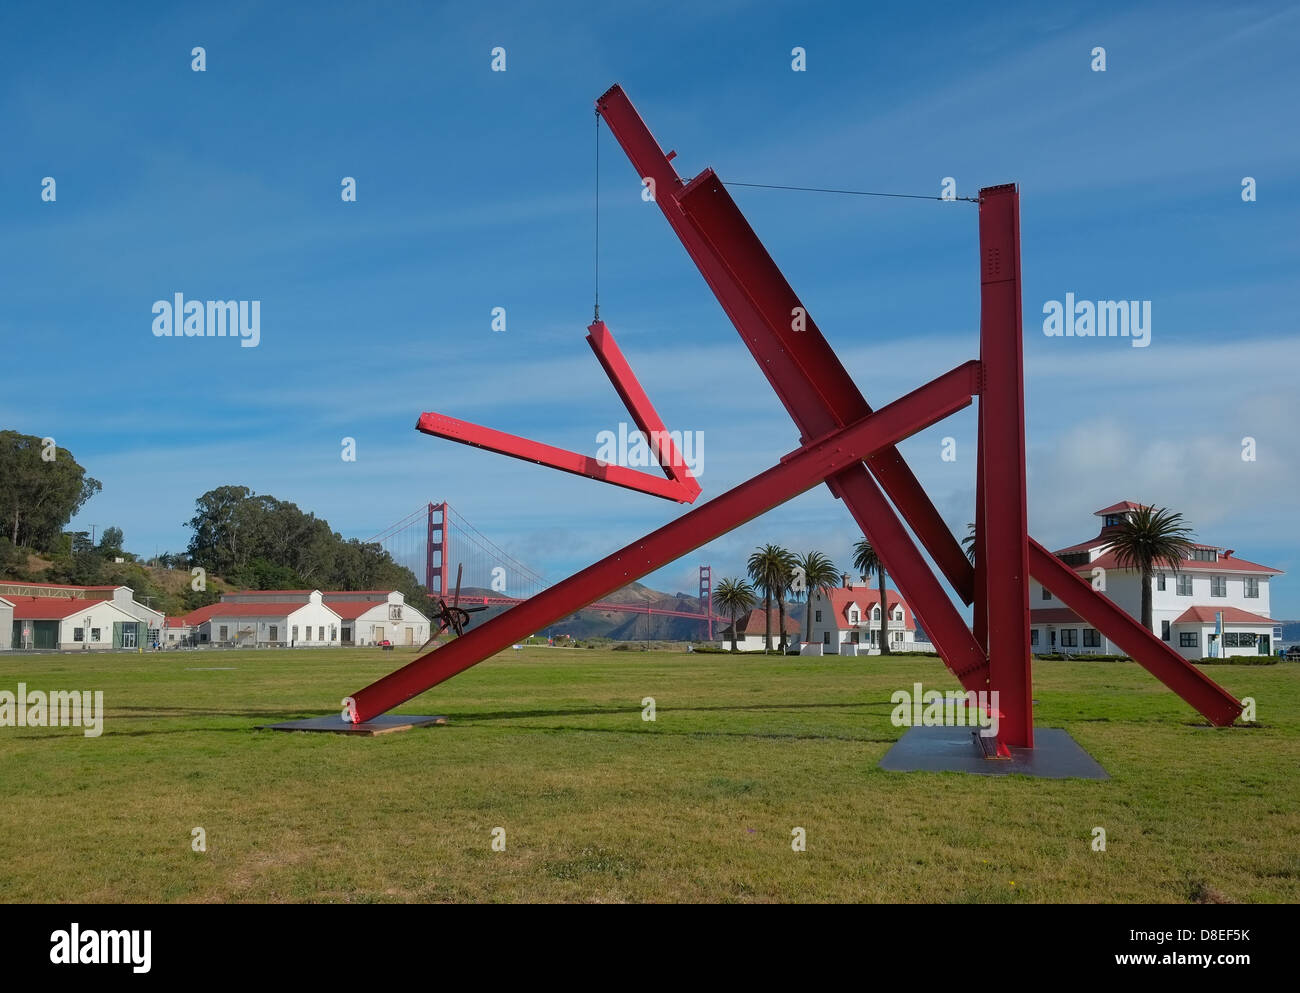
<point x="475" y="190"/>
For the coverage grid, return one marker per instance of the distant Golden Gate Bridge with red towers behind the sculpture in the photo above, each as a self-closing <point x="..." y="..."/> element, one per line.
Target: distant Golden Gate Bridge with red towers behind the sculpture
<point x="435" y="540"/>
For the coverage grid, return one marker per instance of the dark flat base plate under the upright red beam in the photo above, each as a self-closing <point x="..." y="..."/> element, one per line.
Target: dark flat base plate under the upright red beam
<point x="1055" y="756"/>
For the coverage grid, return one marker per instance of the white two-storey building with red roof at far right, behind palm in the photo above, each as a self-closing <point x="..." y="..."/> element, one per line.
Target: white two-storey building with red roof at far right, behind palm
<point x="1185" y="604"/>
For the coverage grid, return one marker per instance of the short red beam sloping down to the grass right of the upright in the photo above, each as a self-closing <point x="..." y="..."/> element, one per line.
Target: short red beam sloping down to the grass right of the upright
<point x="1219" y="706"/>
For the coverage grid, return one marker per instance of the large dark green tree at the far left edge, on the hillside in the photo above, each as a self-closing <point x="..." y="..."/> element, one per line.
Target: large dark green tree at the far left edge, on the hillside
<point x="38" y="497"/>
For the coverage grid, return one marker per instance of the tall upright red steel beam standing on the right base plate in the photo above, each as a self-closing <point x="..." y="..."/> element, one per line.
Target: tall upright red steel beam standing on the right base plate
<point x="1003" y="518"/>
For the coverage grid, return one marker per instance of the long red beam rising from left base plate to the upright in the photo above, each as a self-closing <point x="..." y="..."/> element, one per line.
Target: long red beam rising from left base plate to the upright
<point x="796" y="474"/>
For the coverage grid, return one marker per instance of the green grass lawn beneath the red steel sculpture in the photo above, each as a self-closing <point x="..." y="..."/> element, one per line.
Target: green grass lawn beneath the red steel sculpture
<point x="603" y="806"/>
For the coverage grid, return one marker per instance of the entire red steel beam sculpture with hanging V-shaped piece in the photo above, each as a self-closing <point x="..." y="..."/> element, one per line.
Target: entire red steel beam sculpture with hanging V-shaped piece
<point x="848" y="446"/>
